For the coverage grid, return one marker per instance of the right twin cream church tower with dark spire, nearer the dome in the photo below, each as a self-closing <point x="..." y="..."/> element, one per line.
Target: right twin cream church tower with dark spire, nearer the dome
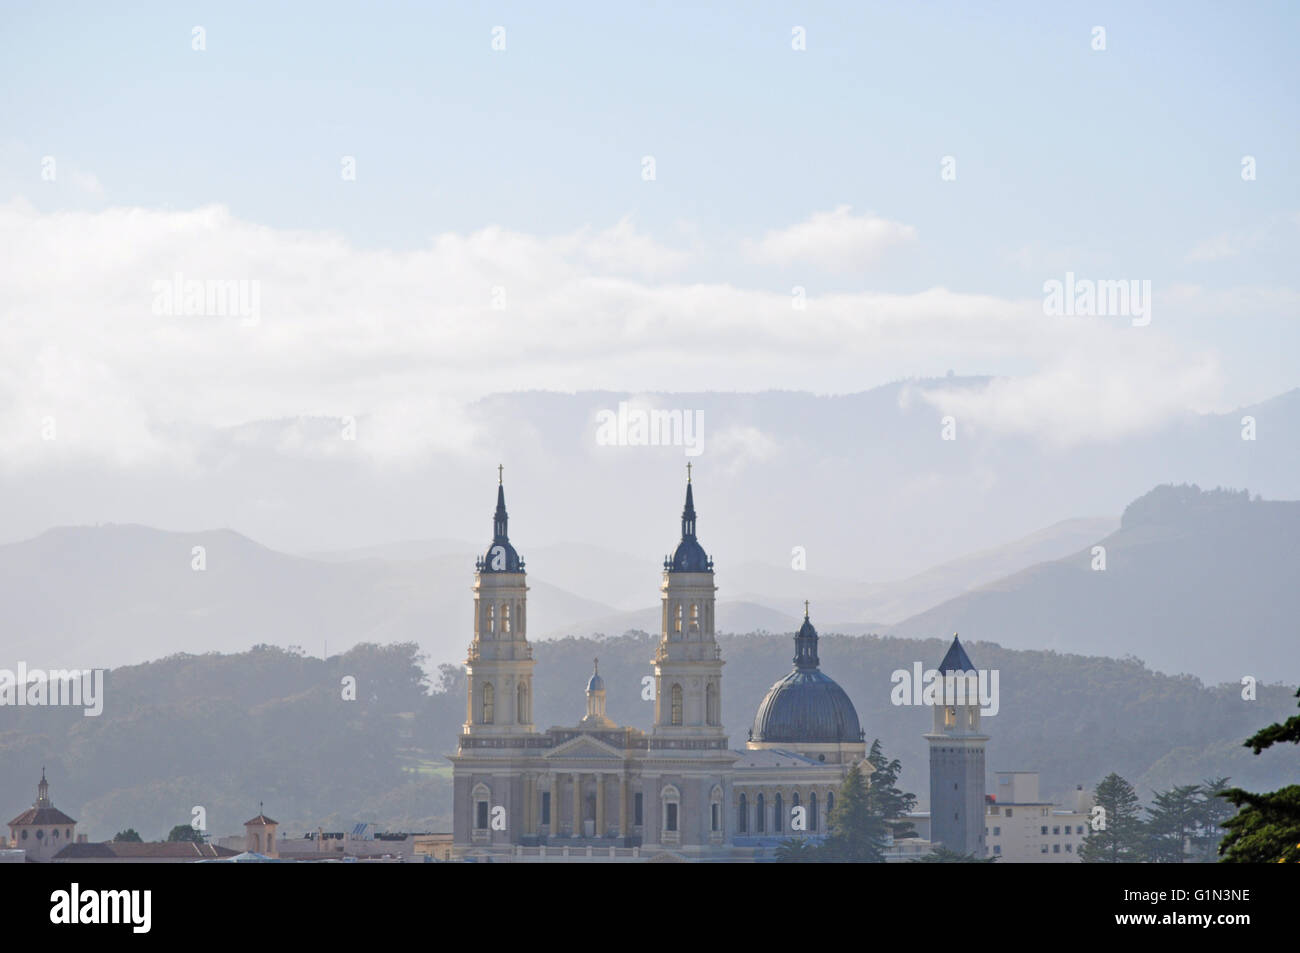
<point x="688" y="666"/>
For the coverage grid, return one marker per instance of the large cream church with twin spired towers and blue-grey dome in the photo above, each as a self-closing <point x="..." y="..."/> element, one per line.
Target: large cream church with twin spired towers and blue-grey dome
<point x="677" y="792"/>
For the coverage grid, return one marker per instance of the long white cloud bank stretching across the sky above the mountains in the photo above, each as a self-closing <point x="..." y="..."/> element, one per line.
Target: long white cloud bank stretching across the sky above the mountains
<point x="402" y="340"/>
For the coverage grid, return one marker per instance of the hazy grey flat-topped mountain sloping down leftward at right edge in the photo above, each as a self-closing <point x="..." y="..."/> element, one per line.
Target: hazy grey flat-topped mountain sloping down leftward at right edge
<point x="1194" y="582"/>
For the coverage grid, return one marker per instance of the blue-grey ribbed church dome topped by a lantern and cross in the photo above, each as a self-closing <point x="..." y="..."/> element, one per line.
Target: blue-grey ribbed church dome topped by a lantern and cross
<point x="807" y="707"/>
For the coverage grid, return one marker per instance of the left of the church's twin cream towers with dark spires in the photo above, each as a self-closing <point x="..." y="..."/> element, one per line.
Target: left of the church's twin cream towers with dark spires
<point x="500" y="665"/>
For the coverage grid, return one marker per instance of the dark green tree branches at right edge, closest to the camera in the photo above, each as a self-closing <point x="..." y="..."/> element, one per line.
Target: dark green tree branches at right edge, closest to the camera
<point x="1267" y="828"/>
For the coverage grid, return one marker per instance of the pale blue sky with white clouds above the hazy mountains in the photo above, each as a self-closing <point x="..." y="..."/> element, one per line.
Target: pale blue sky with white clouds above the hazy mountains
<point x="501" y="232"/>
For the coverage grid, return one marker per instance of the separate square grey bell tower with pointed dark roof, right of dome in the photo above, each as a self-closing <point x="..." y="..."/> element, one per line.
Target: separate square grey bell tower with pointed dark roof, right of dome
<point x="957" y="759"/>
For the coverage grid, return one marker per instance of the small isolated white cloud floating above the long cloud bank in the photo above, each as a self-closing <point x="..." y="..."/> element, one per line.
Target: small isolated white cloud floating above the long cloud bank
<point x="835" y="241"/>
